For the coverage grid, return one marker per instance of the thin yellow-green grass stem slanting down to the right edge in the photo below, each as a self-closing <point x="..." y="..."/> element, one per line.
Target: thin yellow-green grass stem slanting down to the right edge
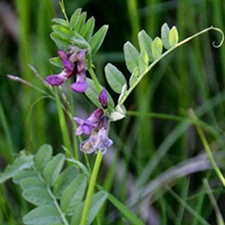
<point x="207" y="148"/>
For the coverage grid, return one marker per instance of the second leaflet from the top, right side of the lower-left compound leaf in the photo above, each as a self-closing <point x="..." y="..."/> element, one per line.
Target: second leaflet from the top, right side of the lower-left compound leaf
<point x="53" y="168"/>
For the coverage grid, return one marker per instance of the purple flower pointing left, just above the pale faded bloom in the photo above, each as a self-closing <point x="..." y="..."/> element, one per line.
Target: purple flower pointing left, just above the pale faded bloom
<point x="86" y="126"/>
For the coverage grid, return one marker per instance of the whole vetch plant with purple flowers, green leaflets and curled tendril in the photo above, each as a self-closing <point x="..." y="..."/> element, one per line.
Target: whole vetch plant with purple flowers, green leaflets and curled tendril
<point x="64" y="193"/>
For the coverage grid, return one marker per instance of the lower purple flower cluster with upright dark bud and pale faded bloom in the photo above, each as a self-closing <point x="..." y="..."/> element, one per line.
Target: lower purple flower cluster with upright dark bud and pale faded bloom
<point x="97" y="125"/>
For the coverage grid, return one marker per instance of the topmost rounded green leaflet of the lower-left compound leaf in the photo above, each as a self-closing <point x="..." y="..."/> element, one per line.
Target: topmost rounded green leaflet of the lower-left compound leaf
<point x="43" y="156"/>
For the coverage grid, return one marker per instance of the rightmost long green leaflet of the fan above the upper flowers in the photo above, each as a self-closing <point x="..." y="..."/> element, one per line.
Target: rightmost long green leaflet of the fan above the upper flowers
<point x="97" y="39"/>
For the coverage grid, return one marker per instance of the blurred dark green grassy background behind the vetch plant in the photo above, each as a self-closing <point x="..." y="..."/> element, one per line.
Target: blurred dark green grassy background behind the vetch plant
<point x="154" y="142"/>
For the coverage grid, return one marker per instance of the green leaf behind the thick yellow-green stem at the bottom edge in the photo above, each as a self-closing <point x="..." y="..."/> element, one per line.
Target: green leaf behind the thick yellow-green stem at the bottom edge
<point x="97" y="201"/>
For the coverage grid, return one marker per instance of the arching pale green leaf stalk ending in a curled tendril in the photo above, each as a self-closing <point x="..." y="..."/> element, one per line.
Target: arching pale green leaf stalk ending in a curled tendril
<point x="122" y="100"/>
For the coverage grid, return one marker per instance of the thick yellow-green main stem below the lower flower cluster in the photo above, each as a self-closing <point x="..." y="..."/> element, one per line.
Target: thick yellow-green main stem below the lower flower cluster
<point x="91" y="188"/>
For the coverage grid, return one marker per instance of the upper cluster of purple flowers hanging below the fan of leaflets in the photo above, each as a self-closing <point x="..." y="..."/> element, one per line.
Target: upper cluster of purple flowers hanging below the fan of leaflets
<point x="73" y="63"/>
